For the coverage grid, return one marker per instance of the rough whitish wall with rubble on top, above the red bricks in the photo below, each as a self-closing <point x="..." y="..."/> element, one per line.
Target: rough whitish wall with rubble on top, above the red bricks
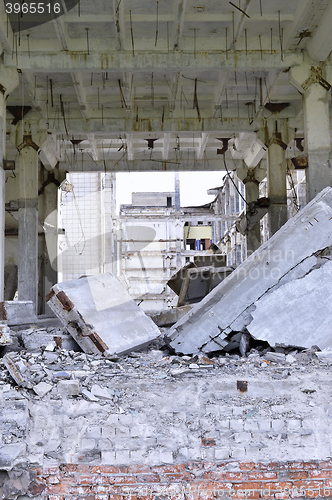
<point x="151" y="408"/>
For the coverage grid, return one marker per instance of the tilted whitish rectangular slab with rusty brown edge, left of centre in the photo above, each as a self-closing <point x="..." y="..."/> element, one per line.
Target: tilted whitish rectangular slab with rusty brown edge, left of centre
<point x="101" y="316"/>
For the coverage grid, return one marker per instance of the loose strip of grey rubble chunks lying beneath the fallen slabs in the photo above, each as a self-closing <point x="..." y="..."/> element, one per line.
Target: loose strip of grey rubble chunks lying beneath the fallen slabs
<point x="61" y="373"/>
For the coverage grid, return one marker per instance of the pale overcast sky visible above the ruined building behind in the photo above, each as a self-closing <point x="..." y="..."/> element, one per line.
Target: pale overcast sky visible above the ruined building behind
<point x="193" y="185"/>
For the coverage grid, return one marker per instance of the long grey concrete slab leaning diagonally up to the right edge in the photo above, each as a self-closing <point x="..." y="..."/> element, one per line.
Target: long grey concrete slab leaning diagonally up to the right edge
<point x="290" y="254"/>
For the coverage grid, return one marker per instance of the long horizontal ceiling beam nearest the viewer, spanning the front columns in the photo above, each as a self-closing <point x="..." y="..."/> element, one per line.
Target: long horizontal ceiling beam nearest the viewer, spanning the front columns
<point x="172" y="61"/>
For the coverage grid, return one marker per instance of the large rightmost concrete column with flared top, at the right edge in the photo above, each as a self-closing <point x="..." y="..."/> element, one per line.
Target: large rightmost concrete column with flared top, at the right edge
<point x="312" y="83"/>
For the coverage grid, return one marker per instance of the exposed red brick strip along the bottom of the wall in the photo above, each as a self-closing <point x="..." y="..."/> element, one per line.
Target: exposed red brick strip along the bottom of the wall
<point x="193" y="480"/>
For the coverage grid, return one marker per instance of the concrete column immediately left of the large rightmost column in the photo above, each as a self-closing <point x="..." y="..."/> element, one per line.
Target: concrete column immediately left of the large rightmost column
<point x="276" y="140"/>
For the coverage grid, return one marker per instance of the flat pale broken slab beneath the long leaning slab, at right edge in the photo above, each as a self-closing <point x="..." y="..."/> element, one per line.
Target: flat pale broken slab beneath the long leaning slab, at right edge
<point x="302" y="312"/>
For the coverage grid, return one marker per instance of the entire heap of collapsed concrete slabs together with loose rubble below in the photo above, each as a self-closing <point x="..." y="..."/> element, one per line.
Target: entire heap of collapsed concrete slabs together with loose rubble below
<point x="276" y="305"/>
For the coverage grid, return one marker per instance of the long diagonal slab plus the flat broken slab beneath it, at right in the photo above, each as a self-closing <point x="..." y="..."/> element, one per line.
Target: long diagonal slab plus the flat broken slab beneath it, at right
<point x="287" y="264"/>
